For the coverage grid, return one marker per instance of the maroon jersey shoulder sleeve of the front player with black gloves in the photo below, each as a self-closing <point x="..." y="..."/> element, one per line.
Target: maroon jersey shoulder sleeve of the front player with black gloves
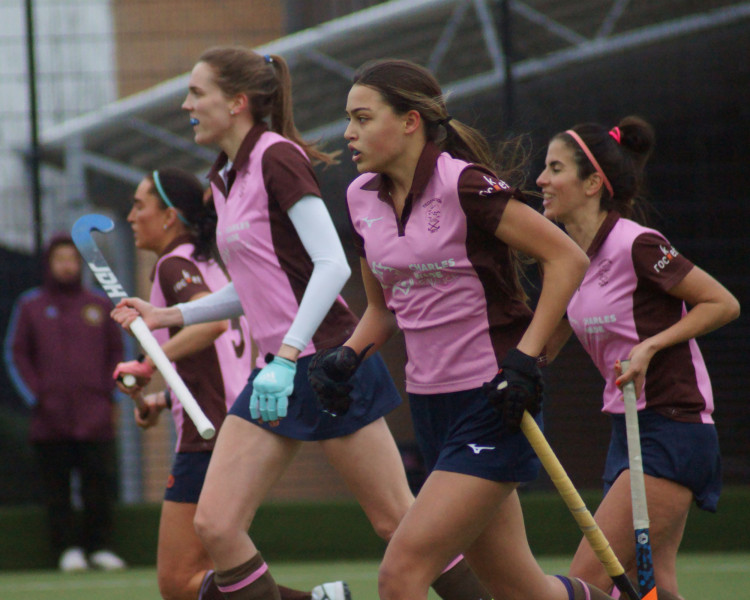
<point x="484" y="197"/>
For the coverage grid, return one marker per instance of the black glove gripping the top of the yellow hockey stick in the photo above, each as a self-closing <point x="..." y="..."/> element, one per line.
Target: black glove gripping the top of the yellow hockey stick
<point x="523" y="391"/>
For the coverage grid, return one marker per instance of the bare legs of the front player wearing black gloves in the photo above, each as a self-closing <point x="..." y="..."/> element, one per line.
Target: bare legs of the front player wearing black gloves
<point x="453" y="513"/>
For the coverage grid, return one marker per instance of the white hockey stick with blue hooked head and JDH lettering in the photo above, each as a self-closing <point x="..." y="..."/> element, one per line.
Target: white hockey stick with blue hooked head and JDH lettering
<point x="82" y="238"/>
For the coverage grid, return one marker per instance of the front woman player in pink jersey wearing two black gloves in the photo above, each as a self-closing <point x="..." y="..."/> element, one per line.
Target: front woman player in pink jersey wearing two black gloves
<point x="436" y="230"/>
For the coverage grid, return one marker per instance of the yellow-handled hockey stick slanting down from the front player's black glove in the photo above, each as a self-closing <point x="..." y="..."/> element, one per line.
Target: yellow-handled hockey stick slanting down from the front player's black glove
<point x="576" y="505"/>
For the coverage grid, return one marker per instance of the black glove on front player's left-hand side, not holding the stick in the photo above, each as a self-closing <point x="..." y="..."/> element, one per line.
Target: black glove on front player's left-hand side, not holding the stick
<point x="329" y="373"/>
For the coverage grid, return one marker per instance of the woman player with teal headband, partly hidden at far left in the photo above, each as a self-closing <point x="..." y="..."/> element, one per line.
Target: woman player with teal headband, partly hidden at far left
<point x="170" y="219"/>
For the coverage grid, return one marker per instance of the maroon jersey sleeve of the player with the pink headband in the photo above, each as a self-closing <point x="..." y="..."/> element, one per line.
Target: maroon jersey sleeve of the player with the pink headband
<point x="658" y="262"/>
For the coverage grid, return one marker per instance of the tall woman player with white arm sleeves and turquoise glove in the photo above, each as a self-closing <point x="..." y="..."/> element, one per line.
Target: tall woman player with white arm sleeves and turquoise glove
<point x="287" y="267"/>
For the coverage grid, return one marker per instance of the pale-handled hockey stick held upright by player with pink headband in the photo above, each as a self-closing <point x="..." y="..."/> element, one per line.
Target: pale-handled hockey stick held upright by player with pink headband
<point x="644" y="560"/>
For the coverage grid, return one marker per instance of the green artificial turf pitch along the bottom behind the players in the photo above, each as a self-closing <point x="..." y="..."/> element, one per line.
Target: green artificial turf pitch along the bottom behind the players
<point x="715" y="576"/>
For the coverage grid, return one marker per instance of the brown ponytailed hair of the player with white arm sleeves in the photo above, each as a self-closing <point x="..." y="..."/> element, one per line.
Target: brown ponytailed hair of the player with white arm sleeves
<point x="268" y="85"/>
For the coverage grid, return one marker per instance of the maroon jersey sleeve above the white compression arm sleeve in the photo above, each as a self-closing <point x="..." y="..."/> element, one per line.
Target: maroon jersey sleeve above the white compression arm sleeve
<point x="288" y="175"/>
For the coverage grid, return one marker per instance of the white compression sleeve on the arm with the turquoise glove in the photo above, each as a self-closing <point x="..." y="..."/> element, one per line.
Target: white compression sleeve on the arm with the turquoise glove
<point x="317" y="232"/>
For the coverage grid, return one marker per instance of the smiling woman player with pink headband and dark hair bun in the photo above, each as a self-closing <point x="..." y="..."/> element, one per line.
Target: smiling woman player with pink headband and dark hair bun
<point x="631" y="304"/>
